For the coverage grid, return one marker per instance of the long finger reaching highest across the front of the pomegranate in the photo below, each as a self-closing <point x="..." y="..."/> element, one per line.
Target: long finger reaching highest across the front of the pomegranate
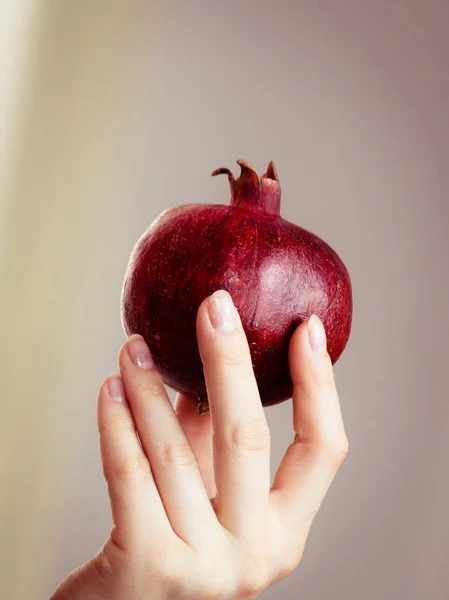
<point x="241" y="436"/>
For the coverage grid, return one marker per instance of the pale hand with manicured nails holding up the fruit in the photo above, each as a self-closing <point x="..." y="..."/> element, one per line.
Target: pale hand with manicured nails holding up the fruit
<point x="195" y="513"/>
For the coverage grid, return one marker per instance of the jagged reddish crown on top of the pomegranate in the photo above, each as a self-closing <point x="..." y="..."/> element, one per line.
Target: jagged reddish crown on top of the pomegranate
<point x="253" y="193"/>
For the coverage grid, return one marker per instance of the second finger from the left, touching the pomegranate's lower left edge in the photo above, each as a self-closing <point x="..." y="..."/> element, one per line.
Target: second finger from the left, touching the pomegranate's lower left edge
<point x="175" y="470"/>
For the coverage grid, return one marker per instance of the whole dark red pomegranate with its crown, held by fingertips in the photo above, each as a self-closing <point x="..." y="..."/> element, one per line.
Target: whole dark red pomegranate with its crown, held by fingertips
<point x="277" y="273"/>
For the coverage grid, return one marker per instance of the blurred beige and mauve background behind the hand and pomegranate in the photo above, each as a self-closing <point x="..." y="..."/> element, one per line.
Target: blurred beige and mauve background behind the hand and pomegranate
<point x="111" y="111"/>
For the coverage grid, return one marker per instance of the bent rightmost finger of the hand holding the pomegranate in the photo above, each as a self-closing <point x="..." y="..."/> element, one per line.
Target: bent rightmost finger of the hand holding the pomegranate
<point x="320" y="444"/>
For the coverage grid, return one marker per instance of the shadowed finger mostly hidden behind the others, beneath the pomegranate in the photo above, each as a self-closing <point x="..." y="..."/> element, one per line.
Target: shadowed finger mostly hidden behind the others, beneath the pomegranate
<point x="198" y="429"/>
